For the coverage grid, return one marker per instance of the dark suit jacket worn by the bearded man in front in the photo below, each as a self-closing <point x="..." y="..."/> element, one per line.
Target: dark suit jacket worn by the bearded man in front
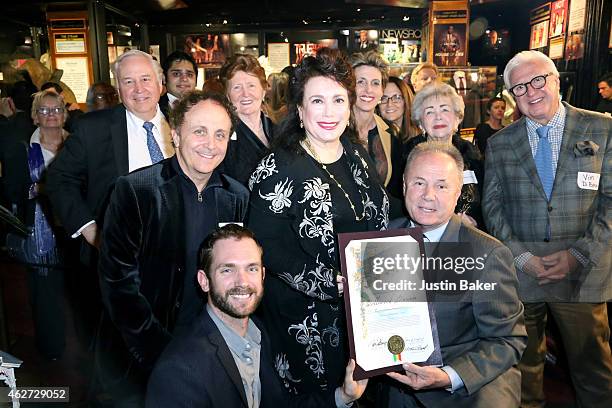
<point x="198" y="370"/>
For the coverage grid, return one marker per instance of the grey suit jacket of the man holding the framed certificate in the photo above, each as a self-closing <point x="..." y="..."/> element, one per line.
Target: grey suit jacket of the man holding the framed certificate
<point x="482" y="337"/>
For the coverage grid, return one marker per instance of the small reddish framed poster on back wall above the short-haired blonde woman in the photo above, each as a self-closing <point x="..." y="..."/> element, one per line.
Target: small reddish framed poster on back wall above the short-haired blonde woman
<point x="449" y="44"/>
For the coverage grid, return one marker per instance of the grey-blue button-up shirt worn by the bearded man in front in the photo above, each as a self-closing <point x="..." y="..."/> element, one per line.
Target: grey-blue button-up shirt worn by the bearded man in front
<point x="246" y="352"/>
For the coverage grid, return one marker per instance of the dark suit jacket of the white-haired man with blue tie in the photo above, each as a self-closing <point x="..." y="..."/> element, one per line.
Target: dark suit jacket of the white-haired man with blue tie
<point x="82" y="175"/>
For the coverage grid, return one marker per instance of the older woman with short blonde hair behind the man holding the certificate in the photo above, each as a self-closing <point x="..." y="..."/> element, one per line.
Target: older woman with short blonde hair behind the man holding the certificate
<point x="439" y="110"/>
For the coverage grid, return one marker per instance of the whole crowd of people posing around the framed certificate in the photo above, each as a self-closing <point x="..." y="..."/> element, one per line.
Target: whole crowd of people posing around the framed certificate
<point x="208" y="223"/>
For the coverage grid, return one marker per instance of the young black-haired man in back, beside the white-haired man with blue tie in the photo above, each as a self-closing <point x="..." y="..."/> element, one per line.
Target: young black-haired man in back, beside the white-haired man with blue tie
<point x="181" y="74"/>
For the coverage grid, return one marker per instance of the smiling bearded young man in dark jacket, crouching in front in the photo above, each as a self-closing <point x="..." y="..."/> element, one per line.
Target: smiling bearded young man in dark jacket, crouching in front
<point x="225" y="360"/>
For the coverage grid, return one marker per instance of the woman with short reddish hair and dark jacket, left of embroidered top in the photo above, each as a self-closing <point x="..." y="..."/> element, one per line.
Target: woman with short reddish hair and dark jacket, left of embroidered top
<point x="245" y="85"/>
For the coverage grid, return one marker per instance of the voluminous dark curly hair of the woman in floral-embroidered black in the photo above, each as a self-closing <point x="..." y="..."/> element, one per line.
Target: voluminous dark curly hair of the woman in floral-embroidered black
<point x="330" y="63"/>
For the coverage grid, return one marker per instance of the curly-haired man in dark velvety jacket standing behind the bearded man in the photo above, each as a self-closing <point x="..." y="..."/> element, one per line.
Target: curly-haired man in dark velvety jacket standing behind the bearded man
<point x="156" y="219"/>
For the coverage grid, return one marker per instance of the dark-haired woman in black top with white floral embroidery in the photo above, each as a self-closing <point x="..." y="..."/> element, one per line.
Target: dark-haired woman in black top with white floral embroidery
<point x="316" y="183"/>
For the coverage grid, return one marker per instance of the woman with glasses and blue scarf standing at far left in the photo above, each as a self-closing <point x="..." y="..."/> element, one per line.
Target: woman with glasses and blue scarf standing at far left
<point x="25" y="174"/>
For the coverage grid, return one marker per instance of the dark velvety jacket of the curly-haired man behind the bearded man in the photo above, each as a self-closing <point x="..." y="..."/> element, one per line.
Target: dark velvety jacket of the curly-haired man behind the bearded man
<point x="142" y="262"/>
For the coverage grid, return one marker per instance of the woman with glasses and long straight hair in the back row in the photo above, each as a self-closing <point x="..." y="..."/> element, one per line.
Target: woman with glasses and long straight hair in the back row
<point x="396" y="105"/>
